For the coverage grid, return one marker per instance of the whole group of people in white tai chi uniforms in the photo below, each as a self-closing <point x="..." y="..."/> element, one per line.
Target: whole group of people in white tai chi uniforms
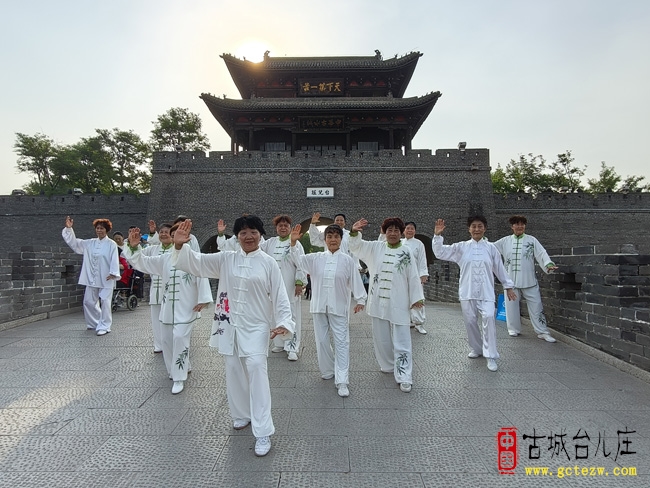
<point x="261" y="282"/>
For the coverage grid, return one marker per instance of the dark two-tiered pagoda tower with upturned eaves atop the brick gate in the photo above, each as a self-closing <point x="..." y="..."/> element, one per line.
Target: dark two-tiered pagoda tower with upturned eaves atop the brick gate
<point x="321" y="104"/>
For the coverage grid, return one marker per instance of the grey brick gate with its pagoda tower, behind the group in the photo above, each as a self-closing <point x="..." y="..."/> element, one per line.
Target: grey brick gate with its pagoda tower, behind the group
<point x="327" y="134"/>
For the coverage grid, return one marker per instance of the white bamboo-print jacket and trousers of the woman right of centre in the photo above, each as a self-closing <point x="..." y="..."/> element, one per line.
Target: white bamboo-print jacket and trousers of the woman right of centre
<point x="394" y="288"/>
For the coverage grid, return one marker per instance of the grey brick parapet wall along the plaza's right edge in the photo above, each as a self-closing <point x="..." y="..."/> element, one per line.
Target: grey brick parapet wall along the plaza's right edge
<point x="601" y="296"/>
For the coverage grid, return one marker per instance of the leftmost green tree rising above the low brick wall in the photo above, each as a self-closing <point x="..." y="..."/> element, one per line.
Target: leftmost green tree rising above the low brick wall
<point x="41" y="156"/>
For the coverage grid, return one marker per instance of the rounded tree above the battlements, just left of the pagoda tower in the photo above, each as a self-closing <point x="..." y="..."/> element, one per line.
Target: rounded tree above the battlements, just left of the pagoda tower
<point x="178" y="128"/>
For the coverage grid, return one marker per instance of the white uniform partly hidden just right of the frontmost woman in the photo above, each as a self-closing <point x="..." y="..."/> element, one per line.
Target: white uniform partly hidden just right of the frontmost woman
<point x="292" y="275"/>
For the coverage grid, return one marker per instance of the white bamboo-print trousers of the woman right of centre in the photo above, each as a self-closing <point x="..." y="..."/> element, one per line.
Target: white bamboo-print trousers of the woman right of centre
<point x="393" y="349"/>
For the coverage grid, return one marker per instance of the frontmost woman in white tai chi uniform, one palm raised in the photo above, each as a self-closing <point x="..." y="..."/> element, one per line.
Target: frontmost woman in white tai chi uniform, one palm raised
<point x="252" y="308"/>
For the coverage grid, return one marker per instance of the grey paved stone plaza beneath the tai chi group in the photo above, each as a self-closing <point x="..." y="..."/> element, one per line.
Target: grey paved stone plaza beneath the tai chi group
<point x="77" y="410"/>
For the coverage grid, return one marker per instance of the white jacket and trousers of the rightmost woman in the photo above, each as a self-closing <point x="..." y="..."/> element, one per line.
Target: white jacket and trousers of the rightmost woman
<point x="519" y="256"/>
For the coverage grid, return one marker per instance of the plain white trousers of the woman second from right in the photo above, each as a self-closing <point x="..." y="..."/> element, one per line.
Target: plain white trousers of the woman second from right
<point x="479" y="321"/>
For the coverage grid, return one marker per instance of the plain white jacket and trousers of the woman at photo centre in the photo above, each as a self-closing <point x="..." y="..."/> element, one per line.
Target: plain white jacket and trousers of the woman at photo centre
<point x="334" y="276"/>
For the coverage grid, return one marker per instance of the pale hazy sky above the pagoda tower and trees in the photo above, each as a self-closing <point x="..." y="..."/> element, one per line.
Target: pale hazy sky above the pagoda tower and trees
<point x="516" y="76"/>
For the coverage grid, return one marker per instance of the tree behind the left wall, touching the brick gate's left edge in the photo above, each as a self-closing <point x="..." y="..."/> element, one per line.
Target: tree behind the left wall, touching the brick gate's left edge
<point x="130" y="159"/>
